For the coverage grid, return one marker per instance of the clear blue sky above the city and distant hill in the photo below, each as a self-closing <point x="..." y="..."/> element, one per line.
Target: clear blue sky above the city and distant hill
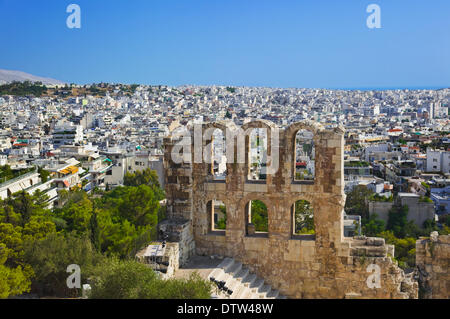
<point x="310" y="43"/>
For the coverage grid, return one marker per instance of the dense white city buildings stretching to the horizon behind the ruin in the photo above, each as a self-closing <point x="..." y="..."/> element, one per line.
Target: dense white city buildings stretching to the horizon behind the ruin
<point x="396" y="138"/>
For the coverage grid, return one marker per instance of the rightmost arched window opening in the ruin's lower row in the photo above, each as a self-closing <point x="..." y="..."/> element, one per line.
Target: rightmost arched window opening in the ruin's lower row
<point x="302" y="218"/>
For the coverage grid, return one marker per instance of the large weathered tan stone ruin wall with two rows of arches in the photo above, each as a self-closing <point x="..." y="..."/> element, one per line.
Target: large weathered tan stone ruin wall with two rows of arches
<point x="321" y="265"/>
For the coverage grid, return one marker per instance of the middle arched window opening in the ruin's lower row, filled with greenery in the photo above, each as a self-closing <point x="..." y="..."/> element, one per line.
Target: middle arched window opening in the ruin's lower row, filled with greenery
<point x="257" y="220"/>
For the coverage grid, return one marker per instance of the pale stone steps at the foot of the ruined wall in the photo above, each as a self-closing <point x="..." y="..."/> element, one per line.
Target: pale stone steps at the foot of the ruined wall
<point x="242" y="283"/>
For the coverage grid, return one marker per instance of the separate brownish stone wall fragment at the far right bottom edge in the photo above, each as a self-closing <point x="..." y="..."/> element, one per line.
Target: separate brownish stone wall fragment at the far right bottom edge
<point x="433" y="264"/>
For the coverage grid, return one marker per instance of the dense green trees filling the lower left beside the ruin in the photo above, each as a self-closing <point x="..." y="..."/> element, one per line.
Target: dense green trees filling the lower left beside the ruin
<point x="101" y="234"/>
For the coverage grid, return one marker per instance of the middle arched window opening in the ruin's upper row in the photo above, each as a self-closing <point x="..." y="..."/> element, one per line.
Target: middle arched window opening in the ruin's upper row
<point x="257" y="154"/>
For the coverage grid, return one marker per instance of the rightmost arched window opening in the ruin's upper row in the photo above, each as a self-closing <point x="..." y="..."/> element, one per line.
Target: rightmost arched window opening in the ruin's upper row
<point x="304" y="156"/>
